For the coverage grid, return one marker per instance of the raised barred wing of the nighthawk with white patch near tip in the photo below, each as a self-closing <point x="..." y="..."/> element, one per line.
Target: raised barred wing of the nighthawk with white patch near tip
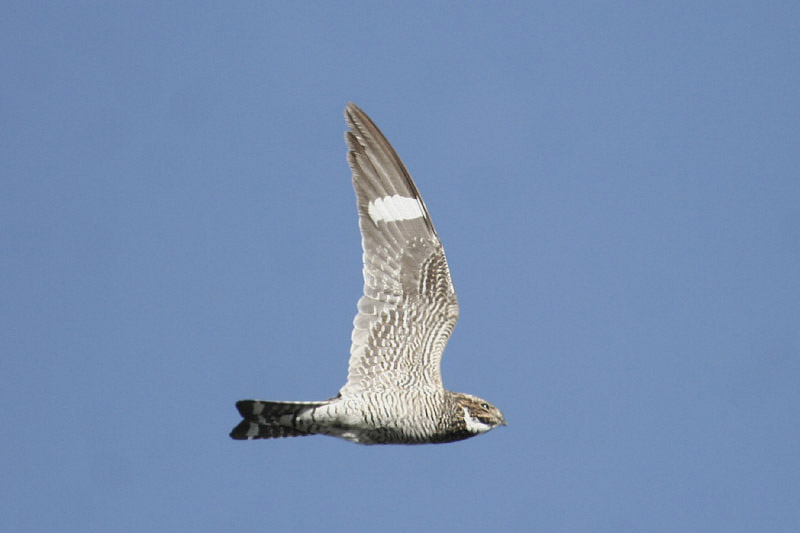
<point x="409" y="306"/>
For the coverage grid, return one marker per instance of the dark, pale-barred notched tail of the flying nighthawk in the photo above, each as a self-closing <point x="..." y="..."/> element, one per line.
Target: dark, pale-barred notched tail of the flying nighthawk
<point x="271" y="420"/>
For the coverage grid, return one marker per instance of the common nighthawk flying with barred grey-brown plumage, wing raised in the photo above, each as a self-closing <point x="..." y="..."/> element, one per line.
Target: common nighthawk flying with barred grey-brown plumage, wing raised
<point x="394" y="392"/>
